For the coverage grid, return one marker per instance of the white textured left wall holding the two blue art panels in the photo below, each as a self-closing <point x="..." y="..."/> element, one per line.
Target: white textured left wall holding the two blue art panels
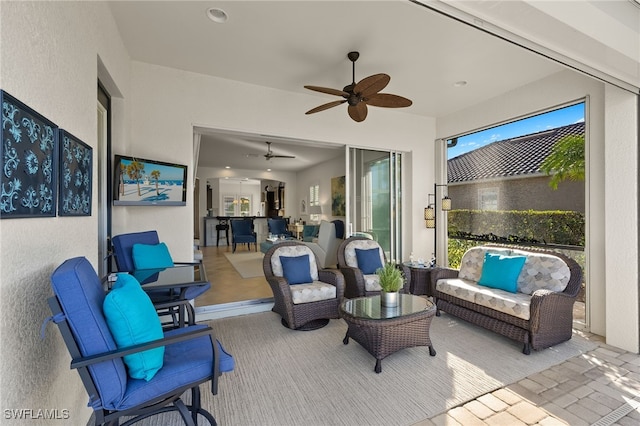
<point x="49" y="57"/>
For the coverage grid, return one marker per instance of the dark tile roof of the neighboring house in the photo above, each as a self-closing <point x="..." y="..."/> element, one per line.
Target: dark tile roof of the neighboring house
<point x="519" y="156"/>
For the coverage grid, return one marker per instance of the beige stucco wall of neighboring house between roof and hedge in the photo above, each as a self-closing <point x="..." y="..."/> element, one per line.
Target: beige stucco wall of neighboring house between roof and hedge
<point x="531" y="193"/>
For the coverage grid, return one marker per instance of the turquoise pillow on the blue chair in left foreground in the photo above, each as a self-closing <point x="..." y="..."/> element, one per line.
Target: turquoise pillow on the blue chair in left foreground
<point x="132" y="320"/>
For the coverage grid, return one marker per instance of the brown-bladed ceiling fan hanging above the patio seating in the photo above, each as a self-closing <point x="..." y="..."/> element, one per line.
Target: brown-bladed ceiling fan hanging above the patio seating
<point x="365" y="92"/>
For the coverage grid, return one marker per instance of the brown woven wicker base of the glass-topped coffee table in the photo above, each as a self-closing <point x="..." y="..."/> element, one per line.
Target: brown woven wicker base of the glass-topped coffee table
<point x="381" y="338"/>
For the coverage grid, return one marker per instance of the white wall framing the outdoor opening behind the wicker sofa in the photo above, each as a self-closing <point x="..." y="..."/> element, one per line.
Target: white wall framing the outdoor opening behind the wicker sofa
<point x="608" y="278"/>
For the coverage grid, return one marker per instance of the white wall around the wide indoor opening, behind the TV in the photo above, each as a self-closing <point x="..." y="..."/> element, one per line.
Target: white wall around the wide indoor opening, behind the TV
<point x="168" y="103"/>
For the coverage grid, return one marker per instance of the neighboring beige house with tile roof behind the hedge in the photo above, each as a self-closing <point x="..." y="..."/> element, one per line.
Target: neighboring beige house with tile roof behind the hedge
<point x="506" y="175"/>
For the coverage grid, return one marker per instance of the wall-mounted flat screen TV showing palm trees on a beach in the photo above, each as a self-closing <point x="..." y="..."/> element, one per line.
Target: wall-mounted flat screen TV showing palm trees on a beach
<point x="141" y="182"/>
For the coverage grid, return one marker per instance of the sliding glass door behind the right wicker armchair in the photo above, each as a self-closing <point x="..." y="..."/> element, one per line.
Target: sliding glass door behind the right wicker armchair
<point x="374" y="197"/>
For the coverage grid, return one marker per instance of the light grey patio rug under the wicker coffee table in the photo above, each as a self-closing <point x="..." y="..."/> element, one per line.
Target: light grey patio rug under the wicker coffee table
<point x="286" y="377"/>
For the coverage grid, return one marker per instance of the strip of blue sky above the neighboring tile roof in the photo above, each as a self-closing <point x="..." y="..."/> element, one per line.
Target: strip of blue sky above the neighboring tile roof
<point x="549" y="120"/>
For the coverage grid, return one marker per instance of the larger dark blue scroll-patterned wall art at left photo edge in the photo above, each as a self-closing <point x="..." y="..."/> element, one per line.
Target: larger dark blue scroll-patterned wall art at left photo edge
<point x="29" y="160"/>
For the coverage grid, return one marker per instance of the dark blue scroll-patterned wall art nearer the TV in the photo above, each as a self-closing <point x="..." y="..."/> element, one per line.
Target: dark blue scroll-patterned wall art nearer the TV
<point x="76" y="159"/>
